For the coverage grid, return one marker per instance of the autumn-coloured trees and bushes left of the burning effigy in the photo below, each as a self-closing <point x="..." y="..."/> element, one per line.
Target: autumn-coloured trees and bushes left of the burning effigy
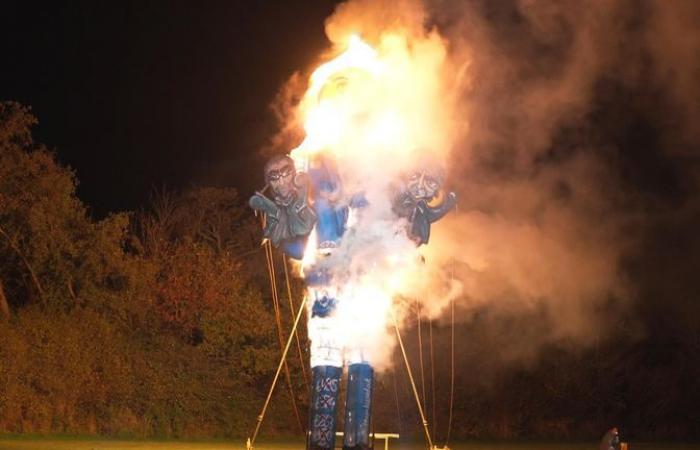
<point x="149" y="323"/>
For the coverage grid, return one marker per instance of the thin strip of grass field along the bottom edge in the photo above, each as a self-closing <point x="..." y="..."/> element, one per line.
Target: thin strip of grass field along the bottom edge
<point x="41" y="443"/>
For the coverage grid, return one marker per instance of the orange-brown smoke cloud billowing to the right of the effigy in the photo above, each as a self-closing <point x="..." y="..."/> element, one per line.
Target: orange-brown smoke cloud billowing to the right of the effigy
<point x="552" y="187"/>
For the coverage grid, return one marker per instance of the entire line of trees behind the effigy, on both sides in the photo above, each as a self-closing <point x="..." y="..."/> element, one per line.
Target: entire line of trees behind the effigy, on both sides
<point x="159" y="322"/>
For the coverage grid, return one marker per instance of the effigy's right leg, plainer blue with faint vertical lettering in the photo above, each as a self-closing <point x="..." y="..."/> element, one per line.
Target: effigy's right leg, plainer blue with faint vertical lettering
<point x="358" y="407"/>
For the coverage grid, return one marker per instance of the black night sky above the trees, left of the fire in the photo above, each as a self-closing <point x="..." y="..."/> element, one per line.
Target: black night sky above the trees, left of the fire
<point x="135" y="94"/>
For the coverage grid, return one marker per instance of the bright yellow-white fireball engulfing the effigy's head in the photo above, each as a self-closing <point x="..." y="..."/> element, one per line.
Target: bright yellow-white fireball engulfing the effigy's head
<point x="375" y="104"/>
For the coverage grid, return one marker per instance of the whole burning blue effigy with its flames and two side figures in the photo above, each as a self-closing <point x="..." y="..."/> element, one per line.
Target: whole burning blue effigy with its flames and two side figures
<point x="353" y="204"/>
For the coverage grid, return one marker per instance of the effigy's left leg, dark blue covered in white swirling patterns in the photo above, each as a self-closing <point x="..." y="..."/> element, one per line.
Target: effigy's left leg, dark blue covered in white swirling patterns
<point x="324" y="402"/>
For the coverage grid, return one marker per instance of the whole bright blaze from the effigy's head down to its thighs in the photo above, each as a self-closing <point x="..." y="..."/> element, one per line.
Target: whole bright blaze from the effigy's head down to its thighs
<point x="376" y="112"/>
